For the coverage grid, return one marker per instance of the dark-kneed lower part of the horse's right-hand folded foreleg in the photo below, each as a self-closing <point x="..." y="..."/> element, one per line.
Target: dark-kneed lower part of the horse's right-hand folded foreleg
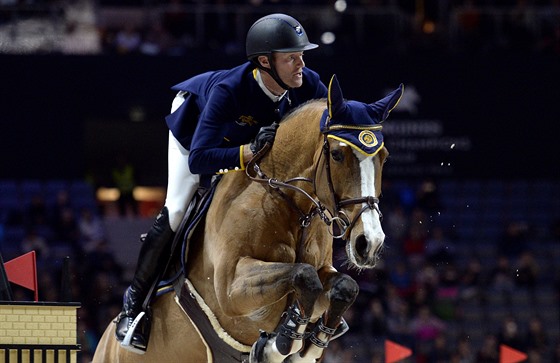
<point x="342" y="291"/>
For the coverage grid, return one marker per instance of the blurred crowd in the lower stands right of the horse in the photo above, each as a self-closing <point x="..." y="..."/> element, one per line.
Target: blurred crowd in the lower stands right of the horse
<point x="423" y="291"/>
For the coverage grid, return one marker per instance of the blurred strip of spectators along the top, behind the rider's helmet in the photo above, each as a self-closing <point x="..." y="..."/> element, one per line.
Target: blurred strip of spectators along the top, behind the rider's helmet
<point x="181" y="27"/>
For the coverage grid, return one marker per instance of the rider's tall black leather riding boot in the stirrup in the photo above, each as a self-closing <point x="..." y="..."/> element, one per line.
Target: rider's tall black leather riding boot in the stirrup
<point x="153" y="255"/>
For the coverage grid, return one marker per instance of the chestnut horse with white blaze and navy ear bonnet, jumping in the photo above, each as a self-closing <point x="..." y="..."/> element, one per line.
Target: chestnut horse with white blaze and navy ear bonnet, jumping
<point x="260" y="264"/>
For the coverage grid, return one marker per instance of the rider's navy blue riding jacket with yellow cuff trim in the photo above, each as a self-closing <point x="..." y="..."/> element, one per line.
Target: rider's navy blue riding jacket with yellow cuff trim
<point x="225" y="109"/>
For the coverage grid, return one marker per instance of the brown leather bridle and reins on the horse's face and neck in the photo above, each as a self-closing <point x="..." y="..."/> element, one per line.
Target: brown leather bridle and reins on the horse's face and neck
<point x="337" y="216"/>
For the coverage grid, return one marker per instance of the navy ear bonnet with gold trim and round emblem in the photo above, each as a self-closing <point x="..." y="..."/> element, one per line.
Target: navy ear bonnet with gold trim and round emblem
<point x="355" y="123"/>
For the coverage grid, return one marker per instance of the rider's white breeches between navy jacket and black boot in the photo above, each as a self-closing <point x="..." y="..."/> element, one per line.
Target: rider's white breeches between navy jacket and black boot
<point x="181" y="183"/>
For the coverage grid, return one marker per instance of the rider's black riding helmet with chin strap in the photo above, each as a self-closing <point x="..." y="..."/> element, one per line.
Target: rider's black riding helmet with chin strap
<point x="275" y="33"/>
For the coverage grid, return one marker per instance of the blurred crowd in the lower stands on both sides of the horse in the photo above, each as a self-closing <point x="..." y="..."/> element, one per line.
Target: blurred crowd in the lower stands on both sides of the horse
<point x="417" y="296"/>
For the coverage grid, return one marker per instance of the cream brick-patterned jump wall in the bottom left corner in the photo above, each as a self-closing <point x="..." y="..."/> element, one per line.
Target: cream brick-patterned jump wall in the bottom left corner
<point x="40" y="332"/>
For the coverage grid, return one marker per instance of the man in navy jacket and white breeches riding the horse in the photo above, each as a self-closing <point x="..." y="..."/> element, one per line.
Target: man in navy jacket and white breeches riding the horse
<point x="218" y="121"/>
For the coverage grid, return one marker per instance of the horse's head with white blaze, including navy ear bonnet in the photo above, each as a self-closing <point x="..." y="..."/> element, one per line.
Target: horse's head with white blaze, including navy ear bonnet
<point x="354" y="157"/>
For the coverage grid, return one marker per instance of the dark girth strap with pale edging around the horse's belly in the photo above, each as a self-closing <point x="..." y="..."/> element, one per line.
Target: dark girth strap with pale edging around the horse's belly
<point x="220" y="350"/>
